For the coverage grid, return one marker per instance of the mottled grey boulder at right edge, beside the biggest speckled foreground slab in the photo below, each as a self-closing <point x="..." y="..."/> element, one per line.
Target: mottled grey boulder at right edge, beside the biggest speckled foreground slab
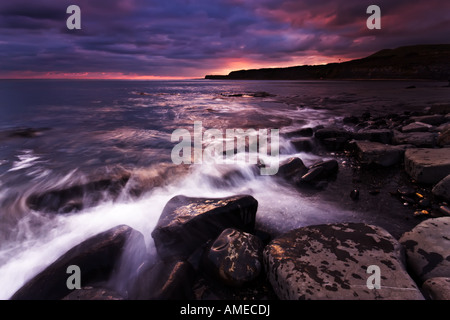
<point x="428" y="248"/>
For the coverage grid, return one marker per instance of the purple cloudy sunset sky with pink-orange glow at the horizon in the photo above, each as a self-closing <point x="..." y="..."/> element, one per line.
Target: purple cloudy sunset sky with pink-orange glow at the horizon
<point x="173" y="39"/>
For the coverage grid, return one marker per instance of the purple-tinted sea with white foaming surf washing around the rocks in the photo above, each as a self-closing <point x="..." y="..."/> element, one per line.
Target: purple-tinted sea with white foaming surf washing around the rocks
<point x="55" y="134"/>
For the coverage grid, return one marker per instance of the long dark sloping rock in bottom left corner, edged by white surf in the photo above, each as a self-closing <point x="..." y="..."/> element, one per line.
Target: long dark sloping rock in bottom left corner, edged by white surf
<point x="96" y="257"/>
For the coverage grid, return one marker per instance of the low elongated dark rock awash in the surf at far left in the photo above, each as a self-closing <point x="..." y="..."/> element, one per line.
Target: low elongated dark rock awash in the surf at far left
<point x="76" y="197"/>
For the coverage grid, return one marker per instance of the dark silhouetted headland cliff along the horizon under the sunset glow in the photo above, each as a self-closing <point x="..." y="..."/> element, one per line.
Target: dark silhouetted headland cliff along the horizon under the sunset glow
<point x="429" y="62"/>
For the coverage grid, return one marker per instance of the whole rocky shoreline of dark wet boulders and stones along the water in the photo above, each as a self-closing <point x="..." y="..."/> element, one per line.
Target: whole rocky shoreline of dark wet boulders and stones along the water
<point x="212" y="248"/>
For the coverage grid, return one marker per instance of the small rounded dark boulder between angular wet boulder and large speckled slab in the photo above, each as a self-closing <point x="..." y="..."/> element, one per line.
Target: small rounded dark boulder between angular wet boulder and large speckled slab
<point x="235" y="257"/>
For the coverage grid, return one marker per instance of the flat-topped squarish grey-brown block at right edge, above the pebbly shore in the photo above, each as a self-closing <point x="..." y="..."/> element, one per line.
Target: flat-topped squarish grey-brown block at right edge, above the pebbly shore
<point x="427" y="165"/>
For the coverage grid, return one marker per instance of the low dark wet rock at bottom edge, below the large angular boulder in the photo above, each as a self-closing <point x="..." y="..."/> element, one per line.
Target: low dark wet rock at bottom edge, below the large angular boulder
<point x="164" y="281"/>
